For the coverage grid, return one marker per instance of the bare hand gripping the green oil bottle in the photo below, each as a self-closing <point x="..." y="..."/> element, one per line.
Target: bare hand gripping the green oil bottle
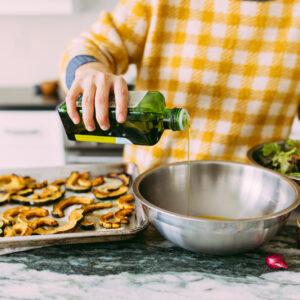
<point x="95" y="82"/>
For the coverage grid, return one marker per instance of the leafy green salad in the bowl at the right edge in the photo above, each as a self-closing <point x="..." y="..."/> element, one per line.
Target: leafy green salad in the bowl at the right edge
<point x="282" y="157"/>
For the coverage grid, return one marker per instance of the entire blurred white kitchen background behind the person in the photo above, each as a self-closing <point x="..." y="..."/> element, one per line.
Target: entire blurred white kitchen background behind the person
<point x="34" y="34"/>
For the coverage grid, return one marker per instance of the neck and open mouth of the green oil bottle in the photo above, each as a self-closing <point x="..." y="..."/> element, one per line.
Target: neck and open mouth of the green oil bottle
<point x="176" y="119"/>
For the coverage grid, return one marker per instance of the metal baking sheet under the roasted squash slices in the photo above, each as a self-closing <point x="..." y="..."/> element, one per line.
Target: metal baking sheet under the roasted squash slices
<point x="138" y="220"/>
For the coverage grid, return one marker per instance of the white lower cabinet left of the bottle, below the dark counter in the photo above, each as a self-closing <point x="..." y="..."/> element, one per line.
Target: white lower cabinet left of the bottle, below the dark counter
<point x="30" y="139"/>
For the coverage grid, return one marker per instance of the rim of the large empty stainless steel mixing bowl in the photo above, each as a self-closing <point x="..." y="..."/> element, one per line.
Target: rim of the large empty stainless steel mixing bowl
<point x="287" y="210"/>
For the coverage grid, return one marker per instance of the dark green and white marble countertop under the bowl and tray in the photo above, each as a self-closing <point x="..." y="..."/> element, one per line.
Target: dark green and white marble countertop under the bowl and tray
<point x="149" y="267"/>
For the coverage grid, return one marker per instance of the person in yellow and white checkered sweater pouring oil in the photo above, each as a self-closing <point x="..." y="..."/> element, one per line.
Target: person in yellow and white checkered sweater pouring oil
<point x="234" y="65"/>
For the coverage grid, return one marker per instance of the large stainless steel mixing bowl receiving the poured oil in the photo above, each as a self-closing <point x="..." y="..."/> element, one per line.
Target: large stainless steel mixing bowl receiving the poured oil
<point x="257" y="200"/>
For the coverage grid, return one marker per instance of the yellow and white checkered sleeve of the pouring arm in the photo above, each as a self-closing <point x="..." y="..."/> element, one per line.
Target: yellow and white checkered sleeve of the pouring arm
<point x="116" y="39"/>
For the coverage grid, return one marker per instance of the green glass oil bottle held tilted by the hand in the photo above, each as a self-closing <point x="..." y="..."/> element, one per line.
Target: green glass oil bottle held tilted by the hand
<point x="147" y="118"/>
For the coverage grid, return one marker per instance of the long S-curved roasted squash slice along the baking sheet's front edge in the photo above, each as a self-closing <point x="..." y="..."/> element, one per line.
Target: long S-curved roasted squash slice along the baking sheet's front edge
<point x="75" y="217"/>
